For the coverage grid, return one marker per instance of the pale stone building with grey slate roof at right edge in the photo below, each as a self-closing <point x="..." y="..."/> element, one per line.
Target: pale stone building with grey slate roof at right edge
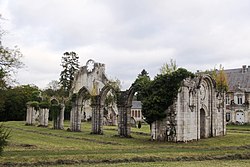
<point x="238" y="96"/>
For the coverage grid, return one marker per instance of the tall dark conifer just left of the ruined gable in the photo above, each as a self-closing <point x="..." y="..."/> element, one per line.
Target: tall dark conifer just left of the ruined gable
<point x="70" y="64"/>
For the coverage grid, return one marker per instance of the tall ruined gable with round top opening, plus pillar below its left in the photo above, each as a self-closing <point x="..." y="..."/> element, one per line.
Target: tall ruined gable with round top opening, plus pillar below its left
<point x="90" y="79"/>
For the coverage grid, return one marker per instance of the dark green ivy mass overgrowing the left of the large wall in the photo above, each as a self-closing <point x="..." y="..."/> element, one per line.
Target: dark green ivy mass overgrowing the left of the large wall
<point x="159" y="94"/>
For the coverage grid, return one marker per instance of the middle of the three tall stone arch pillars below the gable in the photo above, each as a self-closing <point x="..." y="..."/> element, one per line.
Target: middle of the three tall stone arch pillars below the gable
<point x="97" y="115"/>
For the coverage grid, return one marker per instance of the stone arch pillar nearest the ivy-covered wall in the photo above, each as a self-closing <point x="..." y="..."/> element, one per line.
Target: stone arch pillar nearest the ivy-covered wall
<point x="124" y="126"/>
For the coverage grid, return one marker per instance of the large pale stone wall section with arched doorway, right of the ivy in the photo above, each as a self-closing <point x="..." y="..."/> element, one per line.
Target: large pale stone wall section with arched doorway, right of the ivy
<point x="198" y="112"/>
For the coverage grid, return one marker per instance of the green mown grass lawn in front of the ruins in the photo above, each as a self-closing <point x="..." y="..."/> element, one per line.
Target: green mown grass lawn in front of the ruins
<point x="37" y="146"/>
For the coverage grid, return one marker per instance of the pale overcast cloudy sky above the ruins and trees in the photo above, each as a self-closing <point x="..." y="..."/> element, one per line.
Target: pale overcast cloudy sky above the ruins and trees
<point x="126" y="35"/>
